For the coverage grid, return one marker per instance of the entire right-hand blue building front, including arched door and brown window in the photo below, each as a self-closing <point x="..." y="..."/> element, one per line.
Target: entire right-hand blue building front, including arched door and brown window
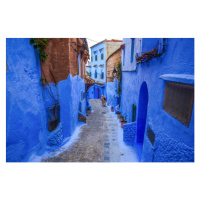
<point x="158" y="98"/>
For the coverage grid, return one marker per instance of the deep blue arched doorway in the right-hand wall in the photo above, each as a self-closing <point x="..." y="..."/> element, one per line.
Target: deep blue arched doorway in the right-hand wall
<point x="141" y="118"/>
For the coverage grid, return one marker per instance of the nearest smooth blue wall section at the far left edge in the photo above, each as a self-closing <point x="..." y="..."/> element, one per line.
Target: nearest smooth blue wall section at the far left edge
<point x="26" y="131"/>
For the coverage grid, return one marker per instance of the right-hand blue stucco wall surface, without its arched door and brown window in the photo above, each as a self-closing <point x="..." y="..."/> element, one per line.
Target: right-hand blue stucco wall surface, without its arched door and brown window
<point x="173" y="140"/>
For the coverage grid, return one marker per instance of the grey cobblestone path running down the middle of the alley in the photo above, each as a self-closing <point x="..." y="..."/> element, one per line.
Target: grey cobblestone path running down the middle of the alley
<point x="97" y="140"/>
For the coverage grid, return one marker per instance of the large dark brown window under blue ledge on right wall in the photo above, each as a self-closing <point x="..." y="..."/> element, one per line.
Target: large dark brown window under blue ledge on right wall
<point x="178" y="101"/>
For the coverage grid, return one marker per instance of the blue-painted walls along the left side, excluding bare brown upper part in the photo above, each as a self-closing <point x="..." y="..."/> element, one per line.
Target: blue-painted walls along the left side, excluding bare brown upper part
<point x="29" y="104"/>
